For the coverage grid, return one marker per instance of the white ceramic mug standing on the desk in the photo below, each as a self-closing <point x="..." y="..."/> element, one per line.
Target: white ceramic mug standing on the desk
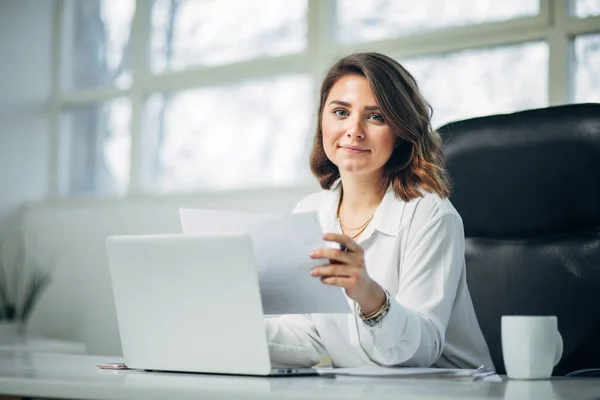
<point x="531" y="346"/>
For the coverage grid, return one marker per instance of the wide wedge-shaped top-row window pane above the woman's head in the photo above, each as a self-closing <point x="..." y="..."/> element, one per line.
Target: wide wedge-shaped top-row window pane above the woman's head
<point x="359" y="20"/>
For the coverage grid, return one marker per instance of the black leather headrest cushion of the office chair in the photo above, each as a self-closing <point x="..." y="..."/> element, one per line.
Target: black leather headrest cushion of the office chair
<point x="527" y="173"/>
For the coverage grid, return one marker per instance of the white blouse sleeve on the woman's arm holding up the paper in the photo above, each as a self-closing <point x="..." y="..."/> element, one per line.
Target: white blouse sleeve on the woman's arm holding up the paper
<point x="412" y="333"/>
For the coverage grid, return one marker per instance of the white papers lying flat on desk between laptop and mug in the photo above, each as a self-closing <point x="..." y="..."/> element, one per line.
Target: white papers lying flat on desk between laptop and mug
<point x="481" y="373"/>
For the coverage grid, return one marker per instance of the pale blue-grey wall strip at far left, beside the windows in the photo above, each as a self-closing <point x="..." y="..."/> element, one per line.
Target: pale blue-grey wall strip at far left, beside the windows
<point x="25" y="88"/>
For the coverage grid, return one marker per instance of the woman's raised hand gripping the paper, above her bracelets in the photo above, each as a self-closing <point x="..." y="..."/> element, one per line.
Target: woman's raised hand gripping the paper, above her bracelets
<point x="347" y="269"/>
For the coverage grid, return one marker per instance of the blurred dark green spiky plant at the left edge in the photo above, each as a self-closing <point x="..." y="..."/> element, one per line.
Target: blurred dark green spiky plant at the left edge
<point x="21" y="284"/>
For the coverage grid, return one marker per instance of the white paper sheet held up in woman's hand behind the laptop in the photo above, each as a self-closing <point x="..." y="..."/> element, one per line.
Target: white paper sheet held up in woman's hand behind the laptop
<point x="281" y="243"/>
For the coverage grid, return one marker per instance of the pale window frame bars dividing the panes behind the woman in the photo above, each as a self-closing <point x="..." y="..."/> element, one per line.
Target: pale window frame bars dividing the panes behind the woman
<point x="554" y="24"/>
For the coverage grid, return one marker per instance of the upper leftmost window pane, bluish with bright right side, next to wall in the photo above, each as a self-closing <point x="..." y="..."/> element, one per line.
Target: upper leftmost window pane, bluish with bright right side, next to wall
<point x="97" y="47"/>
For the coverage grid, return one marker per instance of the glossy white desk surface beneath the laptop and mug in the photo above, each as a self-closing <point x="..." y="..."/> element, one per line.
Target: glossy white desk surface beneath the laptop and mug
<point x="71" y="376"/>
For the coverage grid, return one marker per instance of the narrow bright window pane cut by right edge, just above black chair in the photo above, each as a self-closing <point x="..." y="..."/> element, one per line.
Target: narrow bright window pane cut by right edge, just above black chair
<point x="586" y="63"/>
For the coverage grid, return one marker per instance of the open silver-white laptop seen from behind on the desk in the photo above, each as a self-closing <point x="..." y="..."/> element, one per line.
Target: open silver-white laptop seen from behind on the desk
<point x="191" y="303"/>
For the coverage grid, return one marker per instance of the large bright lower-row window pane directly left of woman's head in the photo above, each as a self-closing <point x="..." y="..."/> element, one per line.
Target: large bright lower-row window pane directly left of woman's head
<point x="252" y="134"/>
